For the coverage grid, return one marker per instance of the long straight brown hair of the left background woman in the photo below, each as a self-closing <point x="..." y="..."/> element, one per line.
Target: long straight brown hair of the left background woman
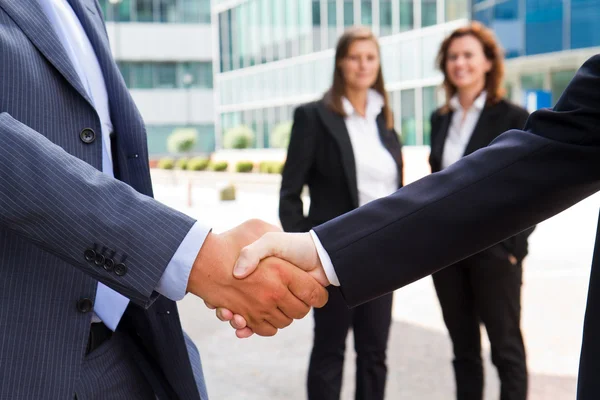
<point x="333" y="97"/>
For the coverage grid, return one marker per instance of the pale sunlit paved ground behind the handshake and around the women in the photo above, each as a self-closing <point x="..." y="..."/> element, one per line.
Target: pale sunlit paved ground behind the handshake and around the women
<point x="554" y="292"/>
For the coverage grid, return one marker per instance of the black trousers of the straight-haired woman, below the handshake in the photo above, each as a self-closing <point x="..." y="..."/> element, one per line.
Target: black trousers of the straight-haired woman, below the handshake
<point x="371" y="325"/>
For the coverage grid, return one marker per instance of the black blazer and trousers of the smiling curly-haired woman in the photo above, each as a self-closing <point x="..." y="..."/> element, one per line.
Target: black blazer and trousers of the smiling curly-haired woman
<point x="486" y="286"/>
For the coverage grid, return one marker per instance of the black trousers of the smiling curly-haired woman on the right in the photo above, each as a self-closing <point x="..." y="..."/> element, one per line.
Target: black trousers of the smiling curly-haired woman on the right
<point x="484" y="288"/>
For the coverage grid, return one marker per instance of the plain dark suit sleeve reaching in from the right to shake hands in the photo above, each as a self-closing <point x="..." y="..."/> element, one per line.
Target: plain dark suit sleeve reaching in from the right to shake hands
<point x="521" y="179"/>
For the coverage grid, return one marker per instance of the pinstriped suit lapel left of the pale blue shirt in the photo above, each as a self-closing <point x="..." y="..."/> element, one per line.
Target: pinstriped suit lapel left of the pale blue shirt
<point x="32" y="20"/>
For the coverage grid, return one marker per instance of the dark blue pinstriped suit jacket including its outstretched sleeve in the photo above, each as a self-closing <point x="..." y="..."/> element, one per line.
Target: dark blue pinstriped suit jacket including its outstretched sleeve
<point x="55" y="204"/>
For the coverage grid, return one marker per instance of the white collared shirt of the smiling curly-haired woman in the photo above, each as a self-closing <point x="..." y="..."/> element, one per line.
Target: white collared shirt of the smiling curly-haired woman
<point x="461" y="129"/>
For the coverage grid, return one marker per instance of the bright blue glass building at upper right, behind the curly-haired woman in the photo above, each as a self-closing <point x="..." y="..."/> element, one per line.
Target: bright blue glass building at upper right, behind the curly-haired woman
<point x="545" y="41"/>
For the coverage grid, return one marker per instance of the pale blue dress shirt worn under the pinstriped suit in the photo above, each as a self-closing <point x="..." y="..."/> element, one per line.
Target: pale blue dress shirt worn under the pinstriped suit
<point x="109" y="305"/>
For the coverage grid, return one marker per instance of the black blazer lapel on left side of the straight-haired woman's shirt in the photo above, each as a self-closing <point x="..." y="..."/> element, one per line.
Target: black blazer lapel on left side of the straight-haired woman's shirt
<point x="337" y="128"/>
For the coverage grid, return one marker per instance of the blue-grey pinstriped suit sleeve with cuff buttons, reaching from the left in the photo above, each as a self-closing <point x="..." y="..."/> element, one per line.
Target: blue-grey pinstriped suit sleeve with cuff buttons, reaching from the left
<point x="68" y="208"/>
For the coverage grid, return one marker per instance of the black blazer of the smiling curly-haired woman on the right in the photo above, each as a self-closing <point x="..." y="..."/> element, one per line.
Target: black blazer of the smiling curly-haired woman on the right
<point x="494" y="120"/>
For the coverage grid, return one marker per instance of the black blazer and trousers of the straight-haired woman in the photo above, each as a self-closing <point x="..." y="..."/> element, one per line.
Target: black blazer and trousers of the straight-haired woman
<point x="321" y="155"/>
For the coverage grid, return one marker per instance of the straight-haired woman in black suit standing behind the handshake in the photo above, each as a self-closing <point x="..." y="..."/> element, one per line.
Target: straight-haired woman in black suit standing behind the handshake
<point x="345" y="149"/>
